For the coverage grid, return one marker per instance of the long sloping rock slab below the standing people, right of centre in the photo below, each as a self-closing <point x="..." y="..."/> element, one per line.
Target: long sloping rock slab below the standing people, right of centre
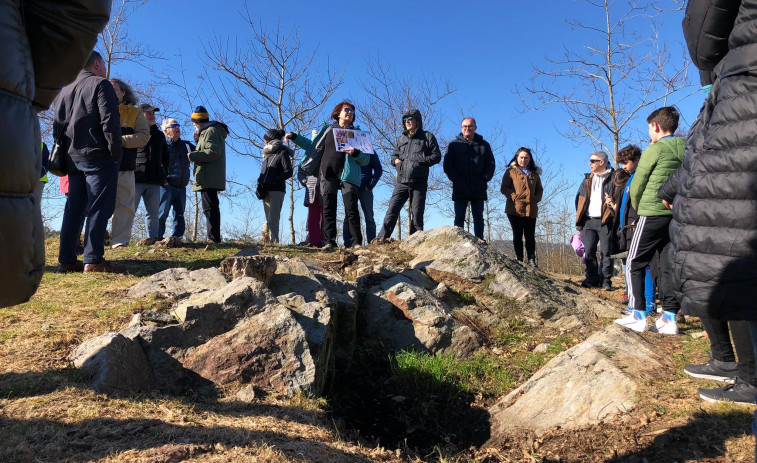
<point x="456" y="258"/>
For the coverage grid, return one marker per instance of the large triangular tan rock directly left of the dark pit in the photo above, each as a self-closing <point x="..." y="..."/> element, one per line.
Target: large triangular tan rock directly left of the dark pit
<point x="269" y="350"/>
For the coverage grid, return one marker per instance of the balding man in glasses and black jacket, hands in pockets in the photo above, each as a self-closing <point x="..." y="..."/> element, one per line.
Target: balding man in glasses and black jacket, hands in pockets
<point x="469" y="164"/>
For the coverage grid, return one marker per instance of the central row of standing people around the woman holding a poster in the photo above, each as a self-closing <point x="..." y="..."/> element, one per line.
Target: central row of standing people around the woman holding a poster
<point x="324" y="172"/>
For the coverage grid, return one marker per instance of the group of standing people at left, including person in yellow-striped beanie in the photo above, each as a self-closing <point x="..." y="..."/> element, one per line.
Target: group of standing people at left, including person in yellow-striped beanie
<point x="116" y="157"/>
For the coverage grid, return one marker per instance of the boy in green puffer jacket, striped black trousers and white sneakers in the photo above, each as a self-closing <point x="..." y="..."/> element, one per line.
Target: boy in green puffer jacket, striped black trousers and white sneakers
<point x="651" y="235"/>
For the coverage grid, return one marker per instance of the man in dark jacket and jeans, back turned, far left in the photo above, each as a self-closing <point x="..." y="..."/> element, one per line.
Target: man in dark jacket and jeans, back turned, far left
<point x="94" y="137"/>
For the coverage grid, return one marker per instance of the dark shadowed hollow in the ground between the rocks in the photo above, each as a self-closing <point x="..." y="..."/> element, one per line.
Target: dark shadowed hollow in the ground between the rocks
<point x="414" y="410"/>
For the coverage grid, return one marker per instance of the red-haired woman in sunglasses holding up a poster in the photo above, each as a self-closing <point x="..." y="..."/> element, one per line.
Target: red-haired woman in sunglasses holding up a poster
<point x="336" y="170"/>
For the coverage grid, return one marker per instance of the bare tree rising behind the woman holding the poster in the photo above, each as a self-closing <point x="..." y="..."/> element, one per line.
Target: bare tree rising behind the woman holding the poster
<point x="268" y="81"/>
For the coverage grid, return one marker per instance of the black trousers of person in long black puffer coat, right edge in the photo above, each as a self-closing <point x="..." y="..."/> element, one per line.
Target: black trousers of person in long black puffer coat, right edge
<point x="720" y="344"/>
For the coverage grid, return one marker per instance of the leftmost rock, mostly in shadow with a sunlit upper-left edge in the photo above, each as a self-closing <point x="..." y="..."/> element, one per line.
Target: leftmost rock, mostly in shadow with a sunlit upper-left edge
<point x="117" y="364"/>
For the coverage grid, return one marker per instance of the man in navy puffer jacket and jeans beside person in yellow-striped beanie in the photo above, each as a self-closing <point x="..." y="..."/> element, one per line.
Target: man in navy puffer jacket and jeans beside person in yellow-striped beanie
<point x="173" y="193"/>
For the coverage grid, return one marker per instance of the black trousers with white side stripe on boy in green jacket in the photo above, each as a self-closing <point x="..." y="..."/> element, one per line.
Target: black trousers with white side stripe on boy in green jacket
<point x="651" y="236"/>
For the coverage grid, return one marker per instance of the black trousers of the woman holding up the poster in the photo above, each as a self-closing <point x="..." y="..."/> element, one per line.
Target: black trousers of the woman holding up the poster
<point x="329" y="191"/>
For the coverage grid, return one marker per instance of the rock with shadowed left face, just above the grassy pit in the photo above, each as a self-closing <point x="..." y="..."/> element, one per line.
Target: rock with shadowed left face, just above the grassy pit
<point x="404" y="315"/>
